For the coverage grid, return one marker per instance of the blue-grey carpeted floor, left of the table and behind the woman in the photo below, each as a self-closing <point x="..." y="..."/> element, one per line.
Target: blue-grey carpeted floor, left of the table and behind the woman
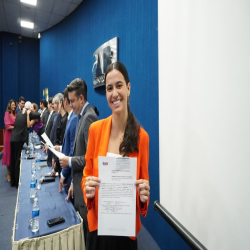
<point x="8" y="197"/>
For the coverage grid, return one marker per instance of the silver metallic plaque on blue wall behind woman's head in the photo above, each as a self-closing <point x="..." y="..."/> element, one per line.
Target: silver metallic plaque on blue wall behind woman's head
<point x="103" y="56"/>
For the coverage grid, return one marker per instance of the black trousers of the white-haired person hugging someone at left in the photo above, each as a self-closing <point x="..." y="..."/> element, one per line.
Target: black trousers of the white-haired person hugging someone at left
<point x="16" y="149"/>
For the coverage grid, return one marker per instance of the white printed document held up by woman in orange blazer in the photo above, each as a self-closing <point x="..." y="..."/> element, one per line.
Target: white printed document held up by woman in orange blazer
<point x="117" y="196"/>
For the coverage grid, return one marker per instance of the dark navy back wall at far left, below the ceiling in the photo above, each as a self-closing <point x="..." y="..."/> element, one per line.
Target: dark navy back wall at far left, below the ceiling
<point x="19" y="68"/>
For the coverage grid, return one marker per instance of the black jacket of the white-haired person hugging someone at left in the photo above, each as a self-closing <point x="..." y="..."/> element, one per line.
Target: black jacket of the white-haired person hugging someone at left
<point x="20" y="130"/>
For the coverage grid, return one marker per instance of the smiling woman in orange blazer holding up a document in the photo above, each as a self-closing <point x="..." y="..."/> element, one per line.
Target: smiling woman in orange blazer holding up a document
<point x="118" y="135"/>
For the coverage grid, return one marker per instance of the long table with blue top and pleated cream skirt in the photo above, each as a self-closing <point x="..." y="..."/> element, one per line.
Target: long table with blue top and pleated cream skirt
<point x="52" y="204"/>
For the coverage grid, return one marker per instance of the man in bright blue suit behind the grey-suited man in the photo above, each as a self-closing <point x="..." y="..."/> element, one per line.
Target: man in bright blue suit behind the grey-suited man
<point x="68" y="143"/>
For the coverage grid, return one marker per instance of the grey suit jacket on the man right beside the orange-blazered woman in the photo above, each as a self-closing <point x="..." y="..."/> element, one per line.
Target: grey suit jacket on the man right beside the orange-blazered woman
<point x="79" y="150"/>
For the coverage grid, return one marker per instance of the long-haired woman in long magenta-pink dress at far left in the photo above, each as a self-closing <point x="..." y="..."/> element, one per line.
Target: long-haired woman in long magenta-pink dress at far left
<point x="9" y="121"/>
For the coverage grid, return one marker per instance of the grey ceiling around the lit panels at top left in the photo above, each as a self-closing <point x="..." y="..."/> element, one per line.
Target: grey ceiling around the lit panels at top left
<point x="46" y="14"/>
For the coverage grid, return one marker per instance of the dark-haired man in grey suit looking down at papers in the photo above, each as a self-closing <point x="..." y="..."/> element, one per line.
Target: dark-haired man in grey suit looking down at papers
<point x="77" y="91"/>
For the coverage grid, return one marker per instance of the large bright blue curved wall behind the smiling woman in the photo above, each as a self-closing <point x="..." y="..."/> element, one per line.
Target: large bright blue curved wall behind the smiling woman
<point x="66" y="52"/>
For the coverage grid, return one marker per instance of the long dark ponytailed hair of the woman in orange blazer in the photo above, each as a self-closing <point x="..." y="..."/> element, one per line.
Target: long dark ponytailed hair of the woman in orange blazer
<point x="131" y="134"/>
